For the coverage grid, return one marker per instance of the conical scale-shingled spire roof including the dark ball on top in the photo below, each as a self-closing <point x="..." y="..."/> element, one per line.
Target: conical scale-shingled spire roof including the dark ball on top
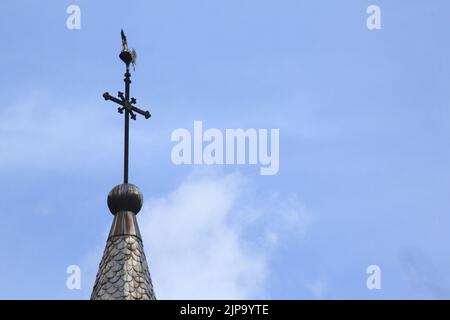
<point x="123" y="272"/>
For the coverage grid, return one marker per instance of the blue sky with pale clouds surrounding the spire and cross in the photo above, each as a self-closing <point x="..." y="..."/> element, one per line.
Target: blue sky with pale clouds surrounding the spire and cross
<point x="364" y="164"/>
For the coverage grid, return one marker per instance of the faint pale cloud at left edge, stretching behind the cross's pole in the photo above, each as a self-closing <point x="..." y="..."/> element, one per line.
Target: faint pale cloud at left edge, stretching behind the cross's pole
<point x="39" y="132"/>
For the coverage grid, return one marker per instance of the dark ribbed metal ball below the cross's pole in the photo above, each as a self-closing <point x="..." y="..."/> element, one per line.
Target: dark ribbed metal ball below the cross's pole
<point x="125" y="197"/>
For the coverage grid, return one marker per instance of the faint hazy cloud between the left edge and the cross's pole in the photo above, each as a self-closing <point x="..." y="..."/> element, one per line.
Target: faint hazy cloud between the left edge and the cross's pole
<point x="39" y="132"/>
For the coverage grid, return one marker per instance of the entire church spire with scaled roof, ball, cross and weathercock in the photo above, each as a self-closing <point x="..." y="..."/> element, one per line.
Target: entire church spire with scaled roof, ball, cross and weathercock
<point x="123" y="271"/>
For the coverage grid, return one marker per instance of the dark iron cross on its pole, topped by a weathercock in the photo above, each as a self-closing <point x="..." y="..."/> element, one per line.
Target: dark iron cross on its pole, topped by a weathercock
<point x="126" y="104"/>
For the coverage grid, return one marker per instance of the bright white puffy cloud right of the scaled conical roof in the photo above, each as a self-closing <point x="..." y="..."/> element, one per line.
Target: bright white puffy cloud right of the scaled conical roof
<point x="212" y="237"/>
